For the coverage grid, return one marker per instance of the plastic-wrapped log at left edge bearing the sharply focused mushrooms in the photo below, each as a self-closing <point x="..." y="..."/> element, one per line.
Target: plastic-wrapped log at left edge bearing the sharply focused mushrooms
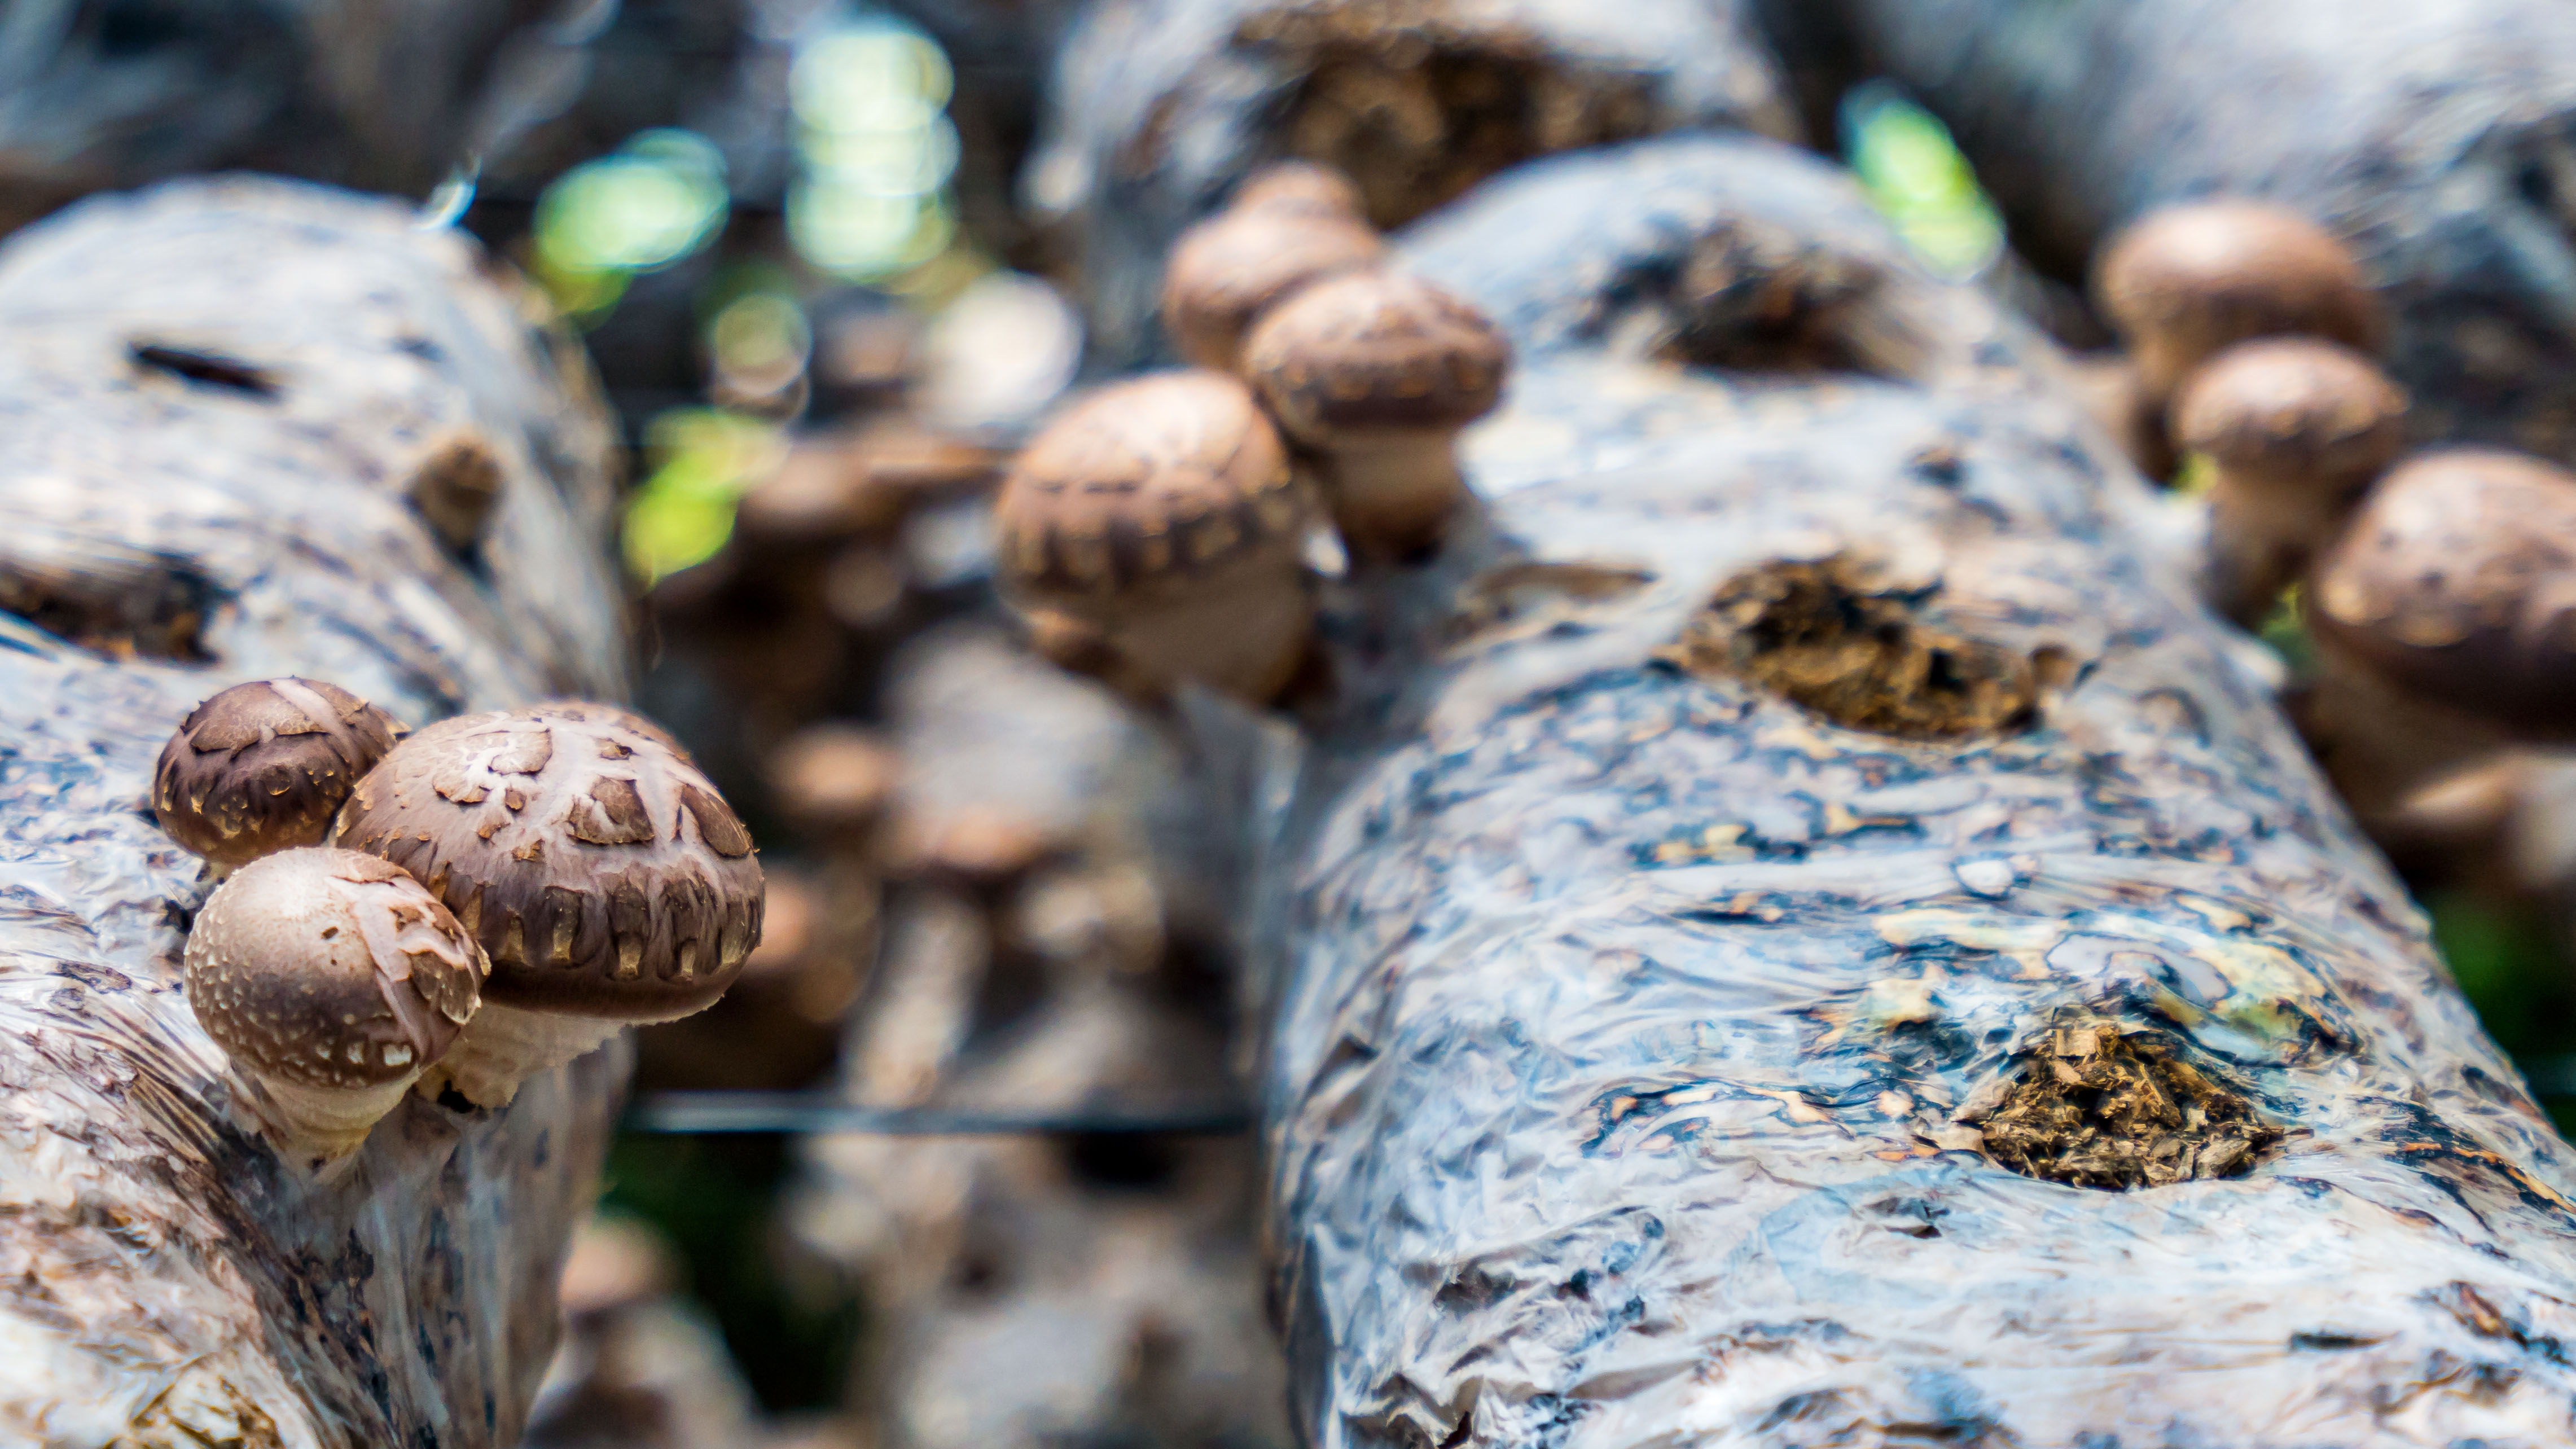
<point x="218" y="403"/>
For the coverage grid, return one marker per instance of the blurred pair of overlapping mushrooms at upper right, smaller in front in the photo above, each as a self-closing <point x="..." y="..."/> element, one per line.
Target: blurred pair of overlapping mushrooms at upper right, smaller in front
<point x="2250" y="336"/>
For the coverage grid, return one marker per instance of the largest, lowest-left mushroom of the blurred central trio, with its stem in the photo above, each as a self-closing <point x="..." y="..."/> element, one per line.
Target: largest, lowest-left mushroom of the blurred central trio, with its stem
<point x="1160" y="519"/>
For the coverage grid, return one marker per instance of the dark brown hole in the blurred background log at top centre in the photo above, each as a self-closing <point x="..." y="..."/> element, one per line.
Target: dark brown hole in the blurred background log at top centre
<point x="1418" y="107"/>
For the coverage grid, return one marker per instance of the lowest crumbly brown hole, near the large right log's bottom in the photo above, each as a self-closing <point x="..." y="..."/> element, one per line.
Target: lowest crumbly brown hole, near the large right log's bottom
<point x="2114" y="1108"/>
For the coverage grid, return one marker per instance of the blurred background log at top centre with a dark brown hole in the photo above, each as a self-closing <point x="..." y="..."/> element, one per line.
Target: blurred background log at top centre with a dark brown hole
<point x="1160" y="107"/>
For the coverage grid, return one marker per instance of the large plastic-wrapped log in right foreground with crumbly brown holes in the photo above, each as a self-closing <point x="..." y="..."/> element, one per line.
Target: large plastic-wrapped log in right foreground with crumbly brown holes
<point x="1797" y="933"/>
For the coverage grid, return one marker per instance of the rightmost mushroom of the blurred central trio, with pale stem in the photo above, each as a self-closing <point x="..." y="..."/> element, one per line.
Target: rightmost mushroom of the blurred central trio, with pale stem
<point x="1377" y="374"/>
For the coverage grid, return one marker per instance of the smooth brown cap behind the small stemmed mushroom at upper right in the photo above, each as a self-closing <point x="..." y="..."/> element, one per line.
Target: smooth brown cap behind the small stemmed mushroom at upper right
<point x="2186" y="282"/>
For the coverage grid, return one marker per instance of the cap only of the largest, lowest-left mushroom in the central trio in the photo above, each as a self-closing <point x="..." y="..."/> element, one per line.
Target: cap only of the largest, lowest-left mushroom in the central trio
<point x="1145" y="488"/>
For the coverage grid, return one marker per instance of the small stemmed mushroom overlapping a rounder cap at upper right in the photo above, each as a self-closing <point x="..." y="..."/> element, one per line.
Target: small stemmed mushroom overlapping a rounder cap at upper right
<point x="2294" y="431"/>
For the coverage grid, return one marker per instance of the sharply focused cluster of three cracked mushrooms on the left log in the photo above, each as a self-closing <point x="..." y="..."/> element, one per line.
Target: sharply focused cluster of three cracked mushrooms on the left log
<point x="498" y="894"/>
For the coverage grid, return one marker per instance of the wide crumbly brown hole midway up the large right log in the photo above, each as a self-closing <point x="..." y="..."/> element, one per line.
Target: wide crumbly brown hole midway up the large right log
<point x="1864" y="655"/>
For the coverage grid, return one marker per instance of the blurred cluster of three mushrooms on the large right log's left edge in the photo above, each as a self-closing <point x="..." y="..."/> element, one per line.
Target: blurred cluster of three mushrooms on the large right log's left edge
<point x="1158" y="531"/>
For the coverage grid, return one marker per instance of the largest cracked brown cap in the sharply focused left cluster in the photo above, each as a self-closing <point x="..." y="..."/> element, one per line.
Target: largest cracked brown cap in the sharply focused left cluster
<point x="581" y="845"/>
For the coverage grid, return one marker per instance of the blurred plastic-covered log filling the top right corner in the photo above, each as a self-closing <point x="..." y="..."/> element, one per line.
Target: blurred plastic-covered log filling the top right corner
<point x="2438" y="138"/>
